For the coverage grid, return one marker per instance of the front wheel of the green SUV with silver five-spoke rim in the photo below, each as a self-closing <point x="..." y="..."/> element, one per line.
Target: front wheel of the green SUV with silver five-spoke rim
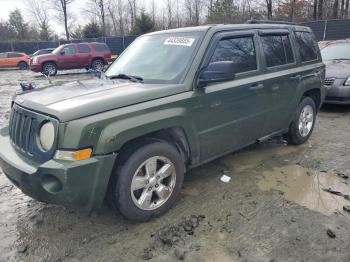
<point x="147" y="181"/>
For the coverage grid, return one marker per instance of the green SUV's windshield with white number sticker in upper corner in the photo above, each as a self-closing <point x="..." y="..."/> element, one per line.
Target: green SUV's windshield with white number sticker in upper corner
<point x="162" y="58"/>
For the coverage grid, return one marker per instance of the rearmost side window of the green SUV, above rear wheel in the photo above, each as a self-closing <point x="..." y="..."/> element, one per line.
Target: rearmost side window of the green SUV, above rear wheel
<point x="307" y="46"/>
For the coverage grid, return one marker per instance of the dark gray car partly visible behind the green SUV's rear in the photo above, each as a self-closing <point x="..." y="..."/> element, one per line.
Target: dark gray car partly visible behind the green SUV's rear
<point x="336" y="56"/>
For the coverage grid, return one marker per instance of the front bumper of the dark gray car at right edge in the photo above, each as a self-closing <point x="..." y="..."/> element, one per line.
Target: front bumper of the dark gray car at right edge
<point x="337" y="93"/>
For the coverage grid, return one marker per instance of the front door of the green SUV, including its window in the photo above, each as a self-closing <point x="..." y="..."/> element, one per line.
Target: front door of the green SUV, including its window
<point x="231" y="113"/>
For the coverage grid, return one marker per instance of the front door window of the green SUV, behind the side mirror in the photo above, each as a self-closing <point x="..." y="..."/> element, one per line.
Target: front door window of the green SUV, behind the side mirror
<point x="239" y="50"/>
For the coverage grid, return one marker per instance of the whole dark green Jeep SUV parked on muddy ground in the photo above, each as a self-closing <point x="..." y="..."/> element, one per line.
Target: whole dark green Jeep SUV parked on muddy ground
<point x="172" y="101"/>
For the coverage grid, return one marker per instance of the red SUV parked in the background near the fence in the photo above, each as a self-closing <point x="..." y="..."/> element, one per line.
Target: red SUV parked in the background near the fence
<point x="72" y="56"/>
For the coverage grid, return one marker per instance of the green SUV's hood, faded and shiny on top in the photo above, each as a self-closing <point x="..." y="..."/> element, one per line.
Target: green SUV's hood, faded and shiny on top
<point x="83" y="98"/>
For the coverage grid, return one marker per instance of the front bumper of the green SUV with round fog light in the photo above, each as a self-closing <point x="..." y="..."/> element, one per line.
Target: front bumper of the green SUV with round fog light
<point x="78" y="184"/>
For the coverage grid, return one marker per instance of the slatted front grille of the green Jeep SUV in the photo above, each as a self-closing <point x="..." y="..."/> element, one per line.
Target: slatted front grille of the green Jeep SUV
<point x="22" y="130"/>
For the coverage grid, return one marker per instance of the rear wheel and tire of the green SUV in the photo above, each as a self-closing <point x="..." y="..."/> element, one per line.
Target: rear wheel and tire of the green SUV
<point x="303" y="123"/>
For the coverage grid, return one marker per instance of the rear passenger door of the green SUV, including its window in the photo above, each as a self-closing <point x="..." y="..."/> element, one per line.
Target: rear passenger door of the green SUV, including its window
<point x="281" y="79"/>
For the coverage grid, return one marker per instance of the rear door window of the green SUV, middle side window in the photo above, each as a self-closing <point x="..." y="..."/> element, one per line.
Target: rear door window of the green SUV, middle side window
<point x="277" y="50"/>
